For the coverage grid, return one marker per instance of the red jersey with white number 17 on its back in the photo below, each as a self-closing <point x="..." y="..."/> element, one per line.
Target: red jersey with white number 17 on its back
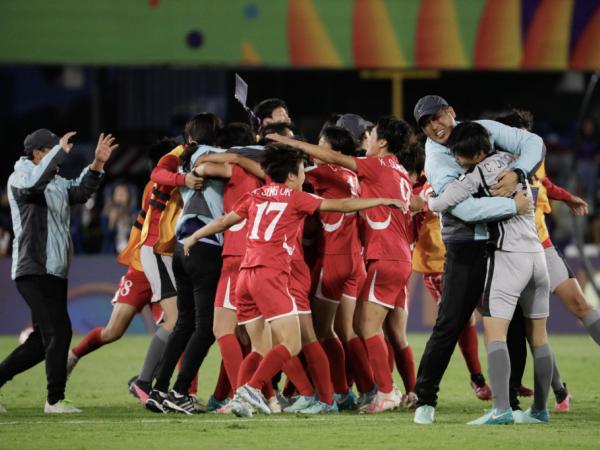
<point x="274" y="213"/>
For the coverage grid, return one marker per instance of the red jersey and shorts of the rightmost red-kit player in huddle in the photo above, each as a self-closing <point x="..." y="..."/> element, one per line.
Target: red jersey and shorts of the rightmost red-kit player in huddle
<point x="387" y="231"/>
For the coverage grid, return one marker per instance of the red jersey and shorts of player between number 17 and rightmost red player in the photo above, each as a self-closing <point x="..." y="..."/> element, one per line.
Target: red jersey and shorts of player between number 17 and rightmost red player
<point x="340" y="269"/>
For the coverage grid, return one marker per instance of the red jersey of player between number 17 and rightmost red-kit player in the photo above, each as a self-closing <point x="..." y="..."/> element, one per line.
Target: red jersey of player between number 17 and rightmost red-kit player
<point x="340" y="230"/>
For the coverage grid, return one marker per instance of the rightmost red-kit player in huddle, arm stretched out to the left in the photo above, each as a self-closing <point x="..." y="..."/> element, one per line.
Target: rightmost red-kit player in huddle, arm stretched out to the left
<point x="387" y="242"/>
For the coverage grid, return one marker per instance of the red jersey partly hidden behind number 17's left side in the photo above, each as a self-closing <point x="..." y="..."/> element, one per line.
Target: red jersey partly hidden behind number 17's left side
<point x="240" y="183"/>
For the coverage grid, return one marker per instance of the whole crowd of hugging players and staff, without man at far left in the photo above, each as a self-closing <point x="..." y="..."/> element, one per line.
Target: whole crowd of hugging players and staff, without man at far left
<point x="296" y="259"/>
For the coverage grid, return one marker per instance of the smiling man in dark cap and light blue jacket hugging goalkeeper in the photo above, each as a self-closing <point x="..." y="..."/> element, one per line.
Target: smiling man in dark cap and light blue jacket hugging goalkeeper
<point x="464" y="233"/>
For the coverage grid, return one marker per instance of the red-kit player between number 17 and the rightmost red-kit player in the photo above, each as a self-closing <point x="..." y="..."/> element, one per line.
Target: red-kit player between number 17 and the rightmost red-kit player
<point x="339" y="271"/>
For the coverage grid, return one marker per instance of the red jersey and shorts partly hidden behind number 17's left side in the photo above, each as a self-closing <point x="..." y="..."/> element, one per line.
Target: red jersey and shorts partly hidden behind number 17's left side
<point x="234" y="246"/>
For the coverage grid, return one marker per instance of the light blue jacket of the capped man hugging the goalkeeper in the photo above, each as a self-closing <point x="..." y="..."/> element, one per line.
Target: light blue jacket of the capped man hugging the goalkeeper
<point x="465" y="221"/>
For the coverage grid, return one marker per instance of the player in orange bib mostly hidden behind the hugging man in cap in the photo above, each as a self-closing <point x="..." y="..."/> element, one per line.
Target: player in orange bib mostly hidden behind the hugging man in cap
<point x="428" y="258"/>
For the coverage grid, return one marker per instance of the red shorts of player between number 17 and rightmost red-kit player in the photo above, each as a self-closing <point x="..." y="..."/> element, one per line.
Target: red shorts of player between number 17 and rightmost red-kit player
<point x="337" y="275"/>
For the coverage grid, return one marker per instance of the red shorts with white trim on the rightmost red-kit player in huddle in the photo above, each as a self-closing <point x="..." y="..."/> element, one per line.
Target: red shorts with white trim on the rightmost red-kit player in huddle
<point x="386" y="283"/>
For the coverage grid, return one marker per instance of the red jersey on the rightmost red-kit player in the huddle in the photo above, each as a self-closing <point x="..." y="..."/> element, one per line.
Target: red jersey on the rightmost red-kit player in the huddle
<point x="387" y="231"/>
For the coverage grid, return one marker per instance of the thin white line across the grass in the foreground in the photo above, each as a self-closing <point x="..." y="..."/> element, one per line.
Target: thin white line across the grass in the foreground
<point x="194" y="422"/>
